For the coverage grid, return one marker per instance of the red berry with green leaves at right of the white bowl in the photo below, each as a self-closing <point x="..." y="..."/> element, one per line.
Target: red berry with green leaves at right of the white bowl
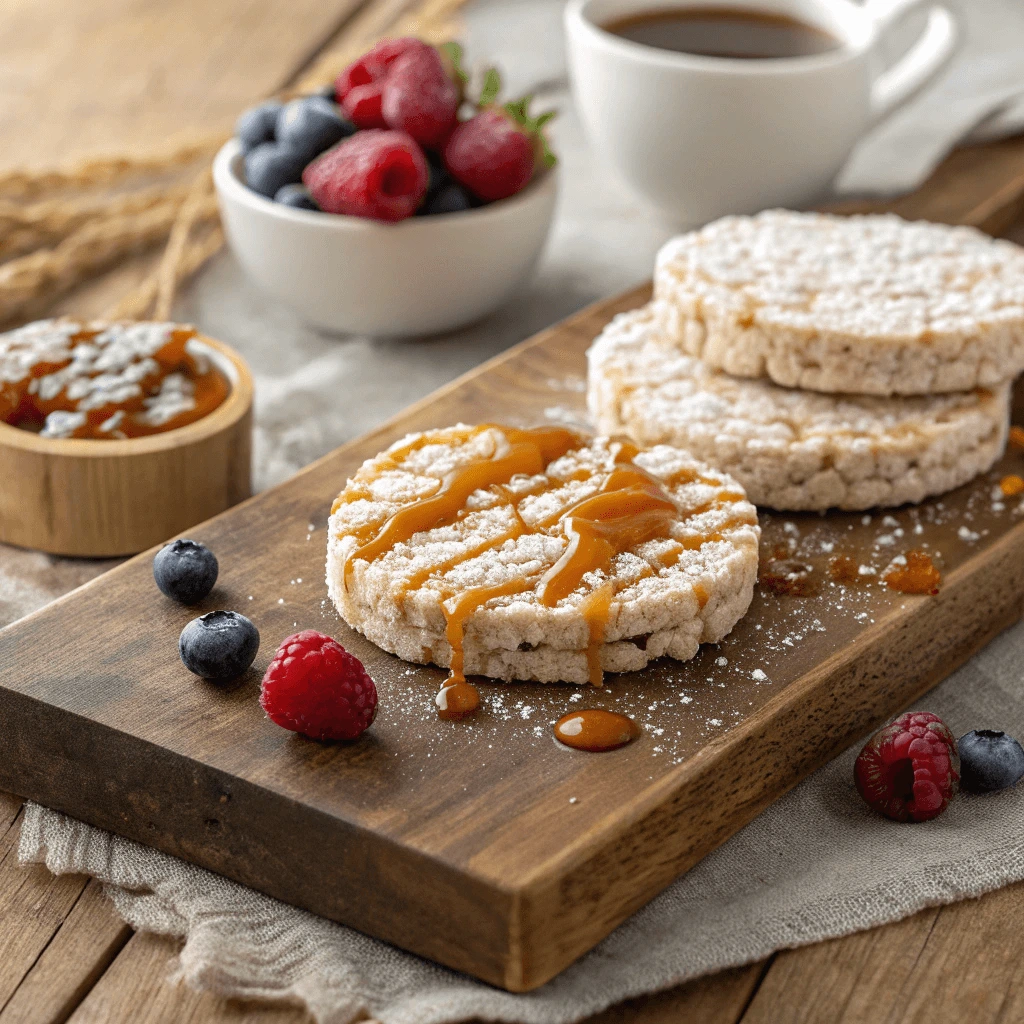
<point x="496" y="154"/>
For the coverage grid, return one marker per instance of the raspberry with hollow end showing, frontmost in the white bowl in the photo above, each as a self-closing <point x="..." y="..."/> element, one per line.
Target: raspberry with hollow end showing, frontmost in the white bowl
<point x="378" y="175"/>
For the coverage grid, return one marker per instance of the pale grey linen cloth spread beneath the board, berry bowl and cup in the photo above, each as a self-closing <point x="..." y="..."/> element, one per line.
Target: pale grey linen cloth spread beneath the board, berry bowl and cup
<point x="816" y="865"/>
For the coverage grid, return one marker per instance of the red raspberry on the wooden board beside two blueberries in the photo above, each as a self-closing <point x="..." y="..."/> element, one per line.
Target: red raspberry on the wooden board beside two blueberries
<point x="316" y="688"/>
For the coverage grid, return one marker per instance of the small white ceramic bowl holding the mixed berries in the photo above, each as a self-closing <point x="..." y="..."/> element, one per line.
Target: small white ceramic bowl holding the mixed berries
<point x="419" y="277"/>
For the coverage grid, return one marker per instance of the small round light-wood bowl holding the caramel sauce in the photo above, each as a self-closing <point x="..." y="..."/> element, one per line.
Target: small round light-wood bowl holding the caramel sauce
<point x="99" y="498"/>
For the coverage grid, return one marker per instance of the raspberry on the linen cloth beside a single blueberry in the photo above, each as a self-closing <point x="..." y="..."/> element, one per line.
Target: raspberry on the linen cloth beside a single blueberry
<point x="910" y="771"/>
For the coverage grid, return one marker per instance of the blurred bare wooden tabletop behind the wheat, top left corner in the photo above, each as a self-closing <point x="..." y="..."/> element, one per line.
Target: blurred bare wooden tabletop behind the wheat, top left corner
<point x="117" y="76"/>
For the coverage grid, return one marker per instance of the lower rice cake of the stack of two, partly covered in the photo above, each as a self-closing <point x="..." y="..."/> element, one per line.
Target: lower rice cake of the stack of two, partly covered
<point x="790" y="450"/>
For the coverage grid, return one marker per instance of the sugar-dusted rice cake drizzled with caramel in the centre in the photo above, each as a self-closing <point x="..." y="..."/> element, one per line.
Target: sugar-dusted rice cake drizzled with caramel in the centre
<point x="540" y="554"/>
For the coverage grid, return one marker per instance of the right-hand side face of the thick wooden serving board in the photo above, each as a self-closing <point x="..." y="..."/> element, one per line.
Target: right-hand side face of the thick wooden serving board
<point x="579" y="898"/>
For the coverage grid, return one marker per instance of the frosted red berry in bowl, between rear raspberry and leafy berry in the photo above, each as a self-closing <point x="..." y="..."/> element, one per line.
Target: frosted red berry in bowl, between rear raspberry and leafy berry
<point x="420" y="98"/>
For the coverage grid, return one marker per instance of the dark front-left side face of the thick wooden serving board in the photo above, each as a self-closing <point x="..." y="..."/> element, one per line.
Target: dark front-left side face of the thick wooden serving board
<point x="53" y="761"/>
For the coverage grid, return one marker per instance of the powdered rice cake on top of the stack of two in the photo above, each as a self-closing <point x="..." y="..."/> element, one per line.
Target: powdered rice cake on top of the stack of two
<point x="865" y="306"/>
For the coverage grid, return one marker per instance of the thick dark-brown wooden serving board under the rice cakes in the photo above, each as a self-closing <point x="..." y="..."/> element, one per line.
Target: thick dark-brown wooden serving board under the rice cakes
<point x="484" y="845"/>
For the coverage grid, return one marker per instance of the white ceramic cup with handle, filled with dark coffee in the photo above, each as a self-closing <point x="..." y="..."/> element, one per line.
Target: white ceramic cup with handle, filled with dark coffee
<point x="702" y="137"/>
